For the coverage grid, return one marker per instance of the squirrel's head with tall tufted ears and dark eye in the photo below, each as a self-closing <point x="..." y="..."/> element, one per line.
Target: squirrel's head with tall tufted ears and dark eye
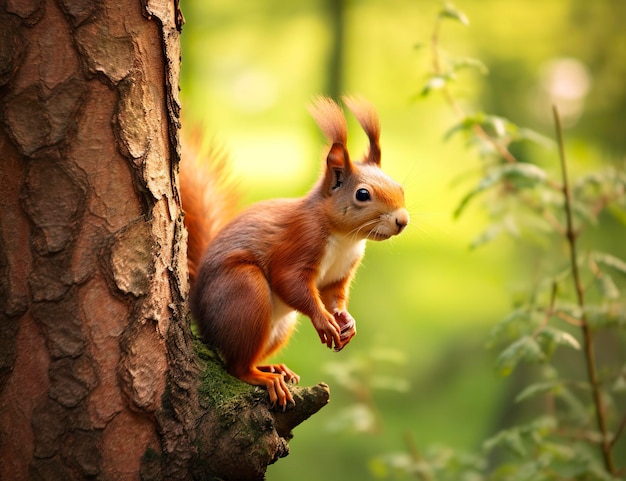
<point x="360" y="199"/>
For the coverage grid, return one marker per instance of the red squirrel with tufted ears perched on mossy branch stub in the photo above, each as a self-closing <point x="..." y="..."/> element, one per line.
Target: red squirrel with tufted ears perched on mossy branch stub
<point x="249" y="277"/>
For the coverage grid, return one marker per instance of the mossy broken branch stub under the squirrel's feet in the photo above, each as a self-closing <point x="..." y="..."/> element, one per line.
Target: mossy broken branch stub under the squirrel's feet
<point x="238" y="434"/>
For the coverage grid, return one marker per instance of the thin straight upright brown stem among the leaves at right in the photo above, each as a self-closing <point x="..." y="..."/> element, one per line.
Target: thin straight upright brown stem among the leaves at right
<point x="571" y="236"/>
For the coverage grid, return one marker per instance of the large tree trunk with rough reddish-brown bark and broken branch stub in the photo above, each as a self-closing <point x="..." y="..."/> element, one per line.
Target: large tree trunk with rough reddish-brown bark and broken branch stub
<point x="99" y="376"/>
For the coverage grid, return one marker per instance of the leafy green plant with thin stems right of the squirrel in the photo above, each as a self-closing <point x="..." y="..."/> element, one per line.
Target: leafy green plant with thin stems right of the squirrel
<point x="578" y="298"/>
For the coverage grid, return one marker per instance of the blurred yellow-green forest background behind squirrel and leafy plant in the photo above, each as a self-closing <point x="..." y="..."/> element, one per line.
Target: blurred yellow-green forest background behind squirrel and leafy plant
<point x="424" y="302"/>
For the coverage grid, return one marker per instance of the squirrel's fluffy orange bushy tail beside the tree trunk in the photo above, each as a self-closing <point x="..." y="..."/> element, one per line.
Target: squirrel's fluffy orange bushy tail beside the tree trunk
<point x="209" y="197"/>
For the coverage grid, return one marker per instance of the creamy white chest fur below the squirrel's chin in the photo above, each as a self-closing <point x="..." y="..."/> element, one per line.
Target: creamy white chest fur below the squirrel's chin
<point x="340" y="254"/>
